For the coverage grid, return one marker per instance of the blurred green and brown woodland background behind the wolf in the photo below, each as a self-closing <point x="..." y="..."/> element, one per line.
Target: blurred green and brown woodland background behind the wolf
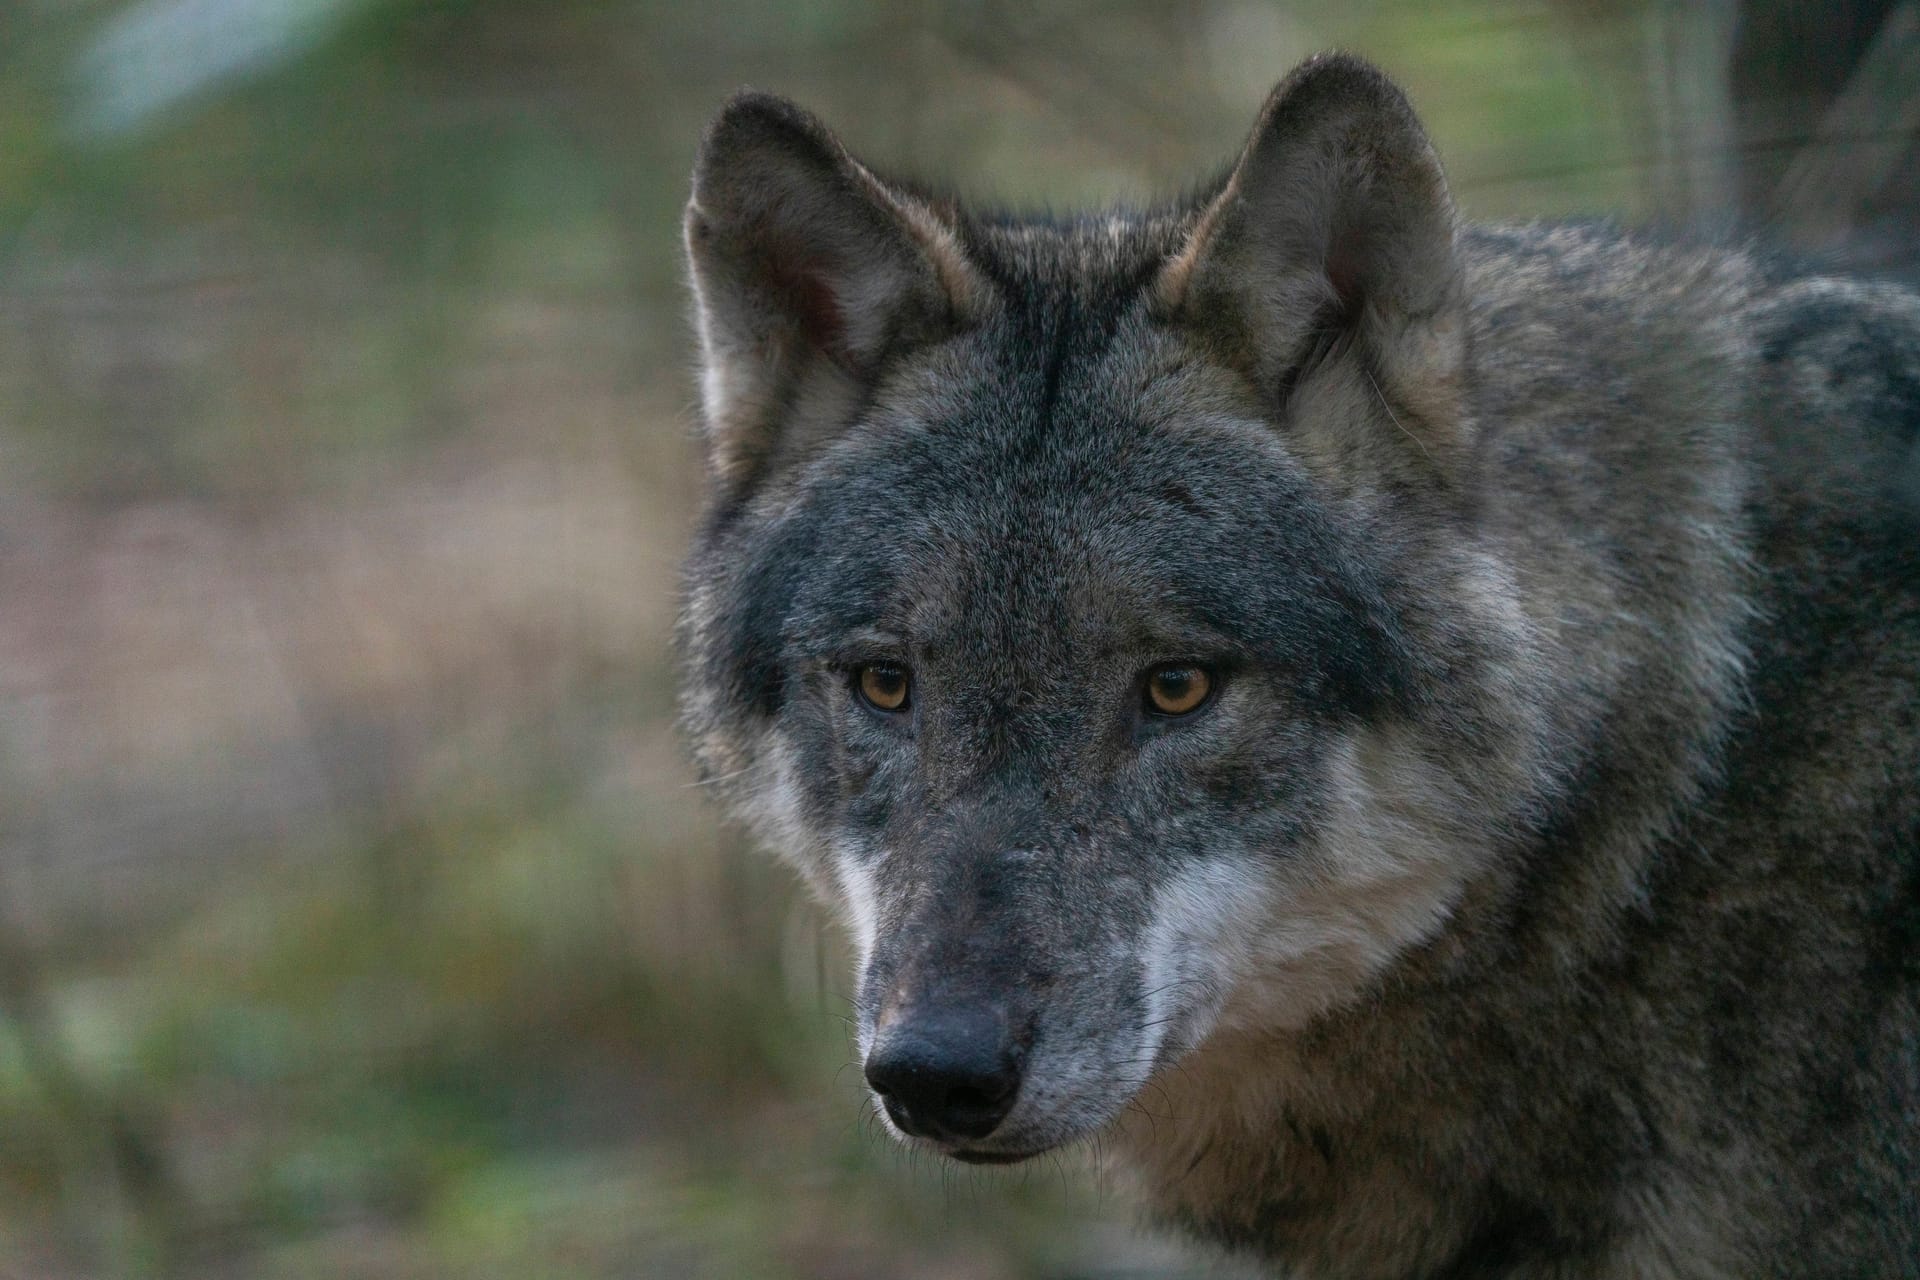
<point x="358" y="911"/>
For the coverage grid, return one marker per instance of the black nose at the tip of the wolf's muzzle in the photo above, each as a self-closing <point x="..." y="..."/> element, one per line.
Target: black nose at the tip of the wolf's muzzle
<point x="949" y="1074"/>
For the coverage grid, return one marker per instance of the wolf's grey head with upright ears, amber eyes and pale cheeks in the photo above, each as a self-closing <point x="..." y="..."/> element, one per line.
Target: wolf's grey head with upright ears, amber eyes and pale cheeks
<point x="1093" y="609"/>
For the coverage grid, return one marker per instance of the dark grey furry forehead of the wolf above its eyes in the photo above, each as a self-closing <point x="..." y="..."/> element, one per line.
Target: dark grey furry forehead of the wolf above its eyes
<point x="1101" y="506"/>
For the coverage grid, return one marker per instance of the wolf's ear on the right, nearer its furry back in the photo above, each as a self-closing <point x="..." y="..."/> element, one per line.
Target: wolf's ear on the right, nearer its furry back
<point x="1333" y="239"/>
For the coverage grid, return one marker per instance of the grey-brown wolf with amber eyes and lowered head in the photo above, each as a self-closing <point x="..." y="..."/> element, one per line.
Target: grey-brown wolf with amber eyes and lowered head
<point x="1408" y="730"/>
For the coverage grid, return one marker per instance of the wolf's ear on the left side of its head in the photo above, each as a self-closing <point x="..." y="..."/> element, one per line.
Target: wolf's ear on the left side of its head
<point x="807" y="272"/>
